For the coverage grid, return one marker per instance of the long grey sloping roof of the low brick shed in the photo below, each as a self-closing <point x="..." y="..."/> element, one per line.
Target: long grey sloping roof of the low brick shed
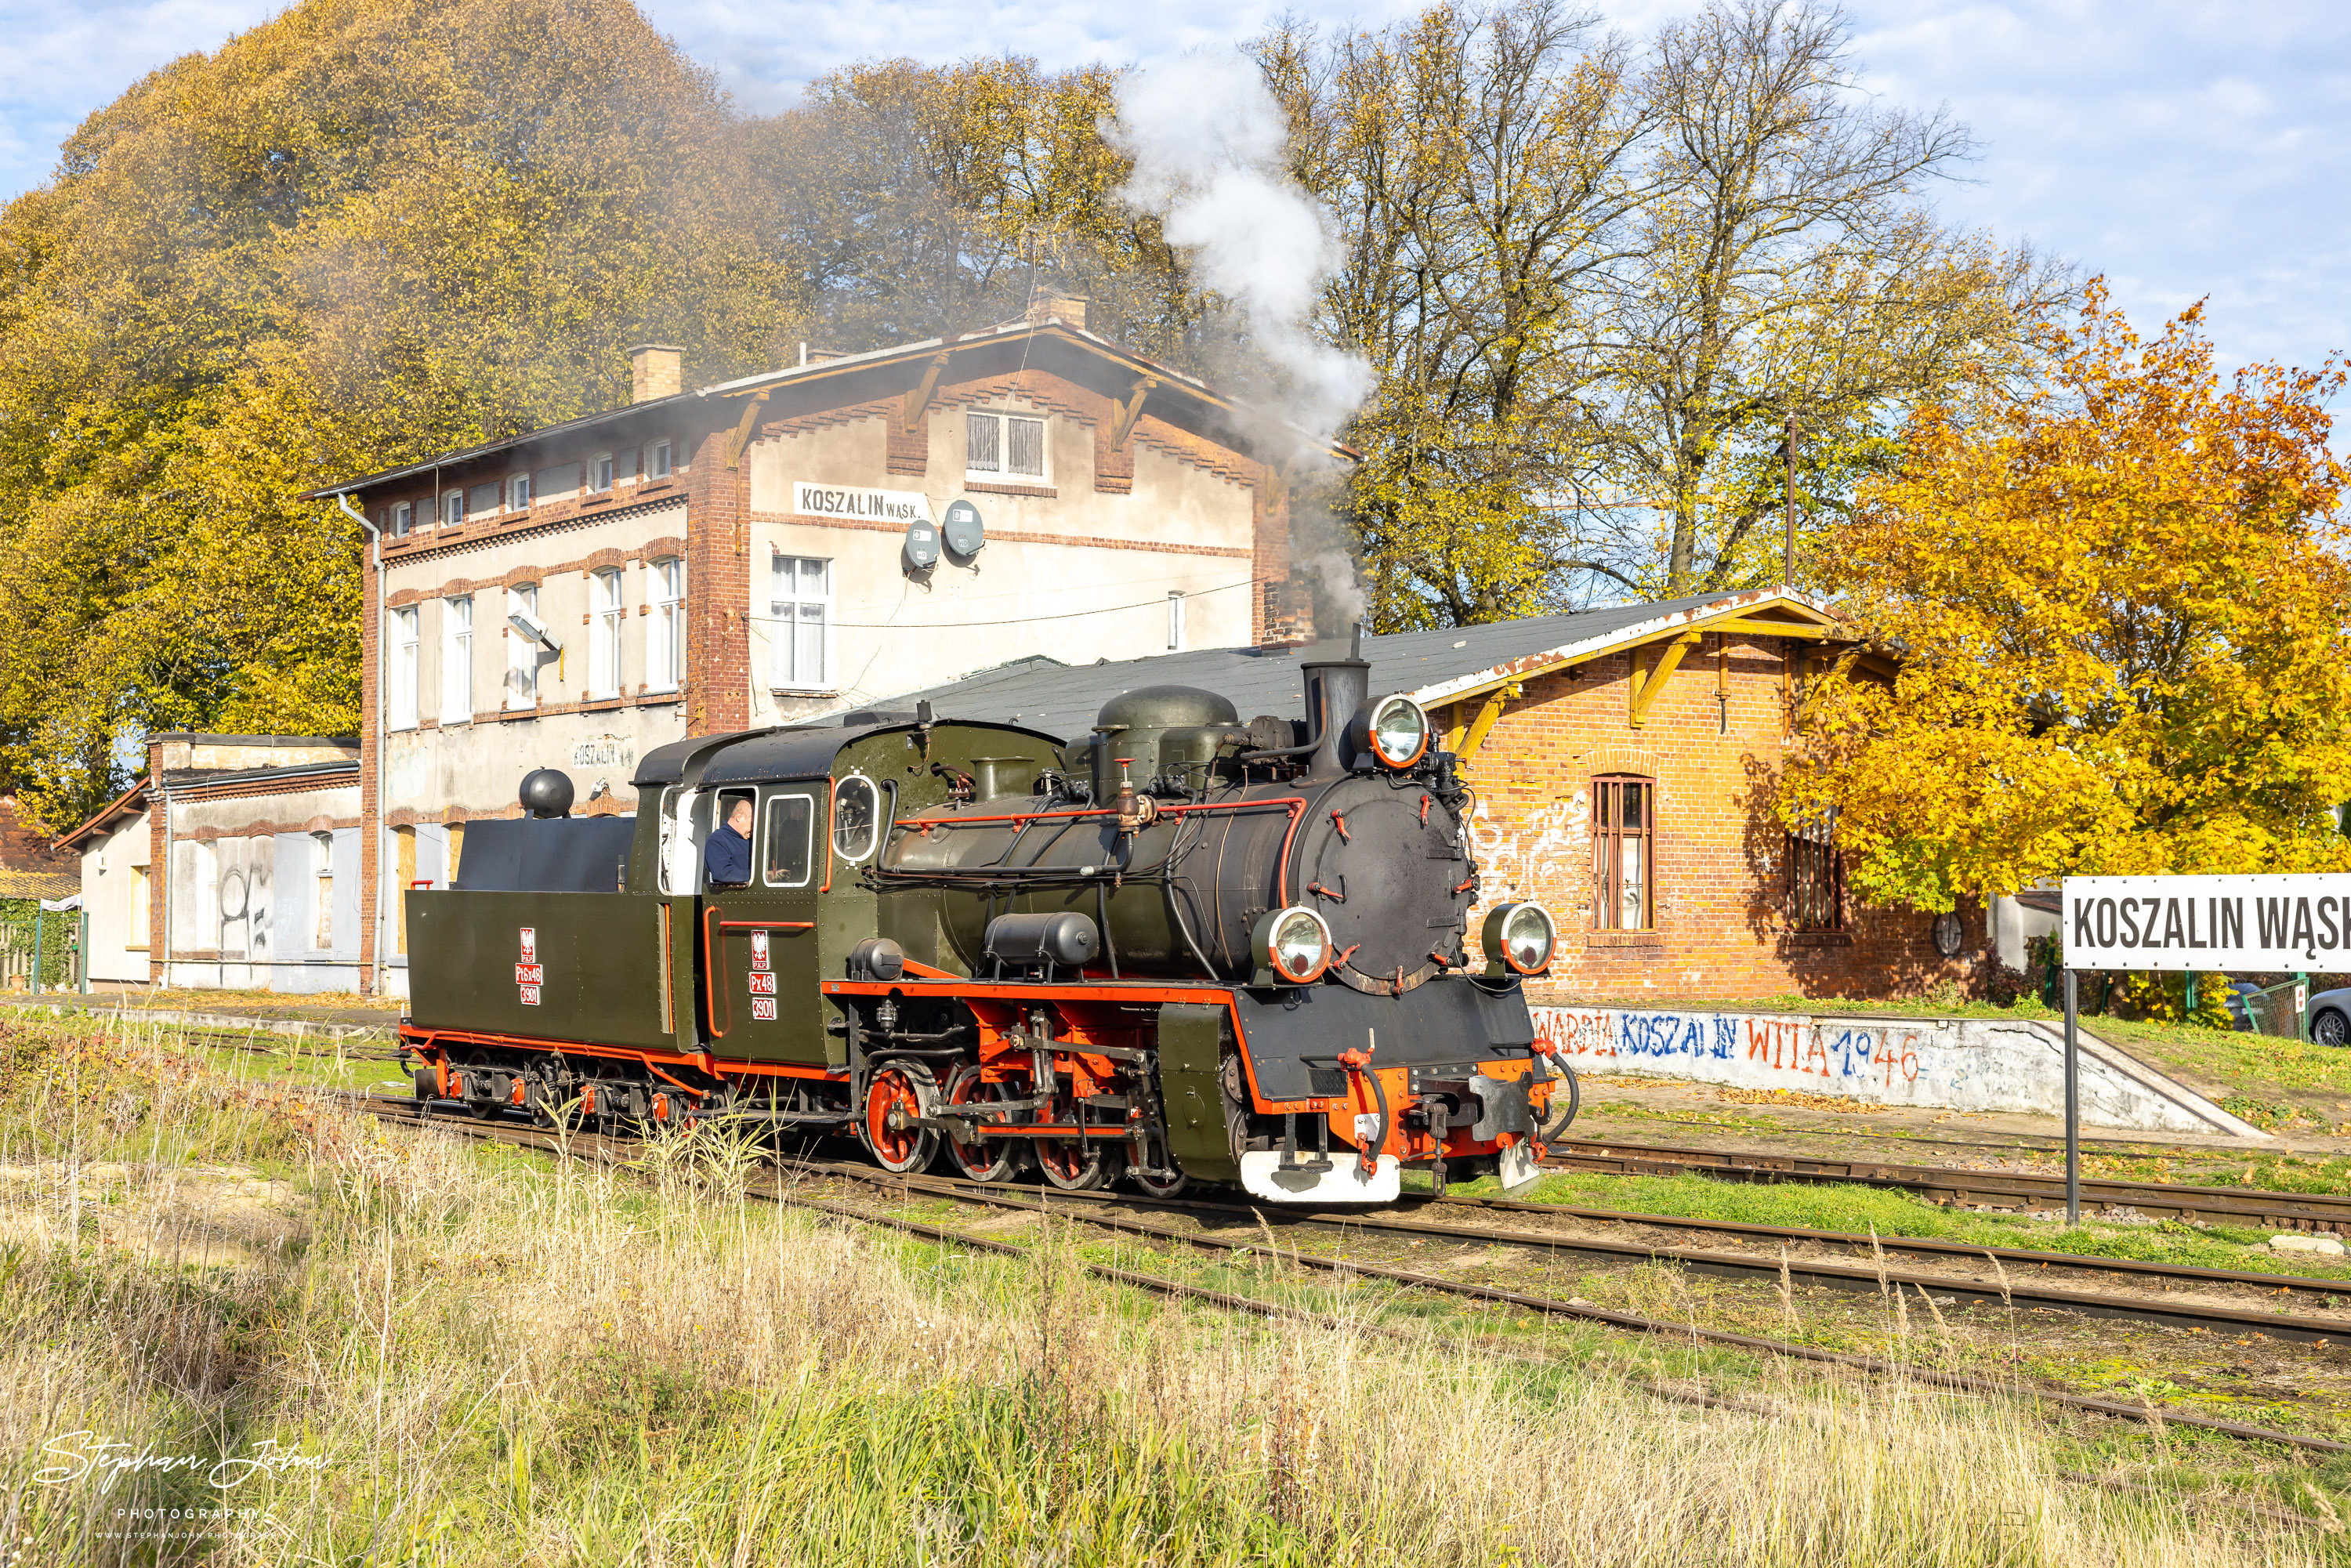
<point x="1433" y="666"/>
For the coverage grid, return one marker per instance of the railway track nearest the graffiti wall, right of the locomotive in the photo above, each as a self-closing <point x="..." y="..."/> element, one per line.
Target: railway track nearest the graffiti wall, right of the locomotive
<point x="1969" y="1188"/>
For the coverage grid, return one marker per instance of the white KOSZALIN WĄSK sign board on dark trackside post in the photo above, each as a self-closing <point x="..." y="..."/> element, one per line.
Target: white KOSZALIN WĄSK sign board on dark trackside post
<point x="2209" y="923"/>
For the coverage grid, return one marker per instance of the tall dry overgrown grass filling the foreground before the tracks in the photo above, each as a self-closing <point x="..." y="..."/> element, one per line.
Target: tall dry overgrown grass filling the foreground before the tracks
<point x="483" y="1360"/>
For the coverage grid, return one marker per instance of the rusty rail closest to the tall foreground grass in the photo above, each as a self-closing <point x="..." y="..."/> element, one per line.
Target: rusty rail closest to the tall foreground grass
<point x="1405" y="1278"/>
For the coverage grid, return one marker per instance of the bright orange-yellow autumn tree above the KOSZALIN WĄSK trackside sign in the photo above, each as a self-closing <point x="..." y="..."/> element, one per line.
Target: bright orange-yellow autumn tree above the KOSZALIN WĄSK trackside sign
<point x="2119" y="608"/>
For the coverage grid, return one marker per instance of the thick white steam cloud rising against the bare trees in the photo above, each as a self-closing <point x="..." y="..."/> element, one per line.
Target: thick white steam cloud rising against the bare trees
<point x="1207" y="140"/>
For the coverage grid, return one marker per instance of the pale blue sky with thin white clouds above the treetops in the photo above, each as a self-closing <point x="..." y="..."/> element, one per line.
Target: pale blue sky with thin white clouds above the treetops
<point x="2181" y="149"/>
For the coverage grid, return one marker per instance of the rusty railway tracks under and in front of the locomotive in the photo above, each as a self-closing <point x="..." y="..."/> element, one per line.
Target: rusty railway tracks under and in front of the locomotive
<point x="1113" y="1214"/>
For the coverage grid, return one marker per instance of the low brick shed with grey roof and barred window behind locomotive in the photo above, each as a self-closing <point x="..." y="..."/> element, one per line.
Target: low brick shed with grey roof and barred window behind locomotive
<point x="1623" y="763"/>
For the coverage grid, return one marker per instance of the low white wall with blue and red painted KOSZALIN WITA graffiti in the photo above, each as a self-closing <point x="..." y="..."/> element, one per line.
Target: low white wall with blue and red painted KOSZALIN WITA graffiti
<point x="1811" y="1054"/>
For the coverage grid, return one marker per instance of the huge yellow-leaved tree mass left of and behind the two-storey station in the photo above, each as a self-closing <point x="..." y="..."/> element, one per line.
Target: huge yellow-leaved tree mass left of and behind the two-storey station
<point x="354" y="236"/>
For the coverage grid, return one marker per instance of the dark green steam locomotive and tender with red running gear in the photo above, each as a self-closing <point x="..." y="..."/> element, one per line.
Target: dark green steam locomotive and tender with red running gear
<point x="1174" y="951"/>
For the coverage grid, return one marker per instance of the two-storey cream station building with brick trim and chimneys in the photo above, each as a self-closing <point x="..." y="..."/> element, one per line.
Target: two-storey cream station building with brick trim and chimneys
<point x="786" y="547"/>
